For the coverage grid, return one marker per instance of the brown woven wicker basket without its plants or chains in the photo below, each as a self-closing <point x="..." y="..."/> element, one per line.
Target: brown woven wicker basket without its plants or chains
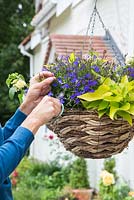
<point x="85" y="135"/>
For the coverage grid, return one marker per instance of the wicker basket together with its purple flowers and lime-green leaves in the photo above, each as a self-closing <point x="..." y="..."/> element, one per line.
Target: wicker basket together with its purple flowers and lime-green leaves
<point x="99" y="104"/>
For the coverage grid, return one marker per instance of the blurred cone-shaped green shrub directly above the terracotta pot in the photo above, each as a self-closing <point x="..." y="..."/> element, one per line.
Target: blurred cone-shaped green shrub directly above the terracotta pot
<point x="78" y="175"/>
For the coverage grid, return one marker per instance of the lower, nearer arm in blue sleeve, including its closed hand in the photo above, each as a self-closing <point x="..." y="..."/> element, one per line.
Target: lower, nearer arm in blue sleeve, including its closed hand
<point x="14" y="148"/>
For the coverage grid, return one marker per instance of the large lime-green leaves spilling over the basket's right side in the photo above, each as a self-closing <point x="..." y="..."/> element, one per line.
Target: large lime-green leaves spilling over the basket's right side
<point x="112" y="98"/>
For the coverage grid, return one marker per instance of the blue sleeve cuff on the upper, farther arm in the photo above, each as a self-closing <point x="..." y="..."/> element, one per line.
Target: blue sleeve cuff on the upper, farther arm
<point x="13" y="123"/>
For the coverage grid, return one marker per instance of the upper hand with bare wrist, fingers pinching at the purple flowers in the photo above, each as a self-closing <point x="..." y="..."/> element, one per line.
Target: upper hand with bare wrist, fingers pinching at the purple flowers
<point x="39" y="87"/>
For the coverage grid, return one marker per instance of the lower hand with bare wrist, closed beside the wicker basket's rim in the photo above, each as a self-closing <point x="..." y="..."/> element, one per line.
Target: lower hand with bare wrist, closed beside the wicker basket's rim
<point x="47" y="109"/>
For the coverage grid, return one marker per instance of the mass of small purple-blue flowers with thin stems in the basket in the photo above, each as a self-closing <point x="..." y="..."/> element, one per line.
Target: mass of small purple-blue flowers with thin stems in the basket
<point x="77" y="75"/>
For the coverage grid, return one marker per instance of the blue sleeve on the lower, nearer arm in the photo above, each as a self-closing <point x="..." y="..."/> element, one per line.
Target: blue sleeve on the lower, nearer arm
<point x="13" y="150"/>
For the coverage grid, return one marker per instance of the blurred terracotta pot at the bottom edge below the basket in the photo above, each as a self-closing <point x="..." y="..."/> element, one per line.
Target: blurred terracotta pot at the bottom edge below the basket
<point x="83" y="194"/>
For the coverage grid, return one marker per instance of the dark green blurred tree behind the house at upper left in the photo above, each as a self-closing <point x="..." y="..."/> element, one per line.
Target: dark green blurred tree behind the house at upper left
<point x="15" y="21"/>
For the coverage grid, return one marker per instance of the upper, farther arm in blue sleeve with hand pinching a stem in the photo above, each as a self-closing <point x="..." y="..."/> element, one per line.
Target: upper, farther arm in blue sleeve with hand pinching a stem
<point x="35" y="93"/>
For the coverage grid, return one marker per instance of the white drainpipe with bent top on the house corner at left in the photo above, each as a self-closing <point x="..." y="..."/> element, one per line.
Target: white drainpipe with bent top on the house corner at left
<point x="26" y="53"/>
